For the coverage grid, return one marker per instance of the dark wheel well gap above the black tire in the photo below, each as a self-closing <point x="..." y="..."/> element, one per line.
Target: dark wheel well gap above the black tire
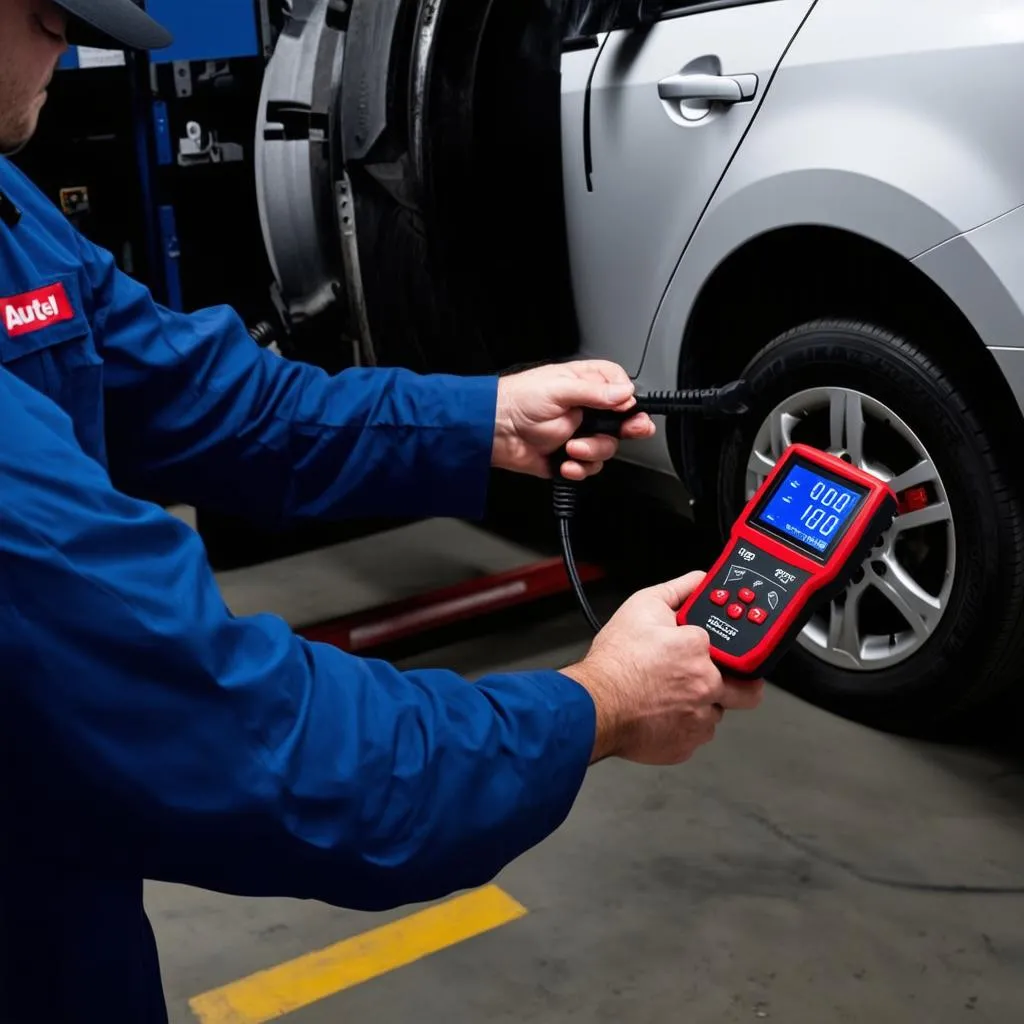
<point x="791" y="275"/>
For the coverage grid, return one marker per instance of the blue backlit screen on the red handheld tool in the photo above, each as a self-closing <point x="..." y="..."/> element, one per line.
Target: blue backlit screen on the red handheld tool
<point x="810" y="508"/>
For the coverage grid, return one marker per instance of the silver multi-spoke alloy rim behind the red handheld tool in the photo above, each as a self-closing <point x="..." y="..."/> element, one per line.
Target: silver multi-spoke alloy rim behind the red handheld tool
<point x="899" y="599"/>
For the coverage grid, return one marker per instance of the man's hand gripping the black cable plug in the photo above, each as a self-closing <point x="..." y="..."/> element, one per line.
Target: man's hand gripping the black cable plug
<point x="539" y="411"/>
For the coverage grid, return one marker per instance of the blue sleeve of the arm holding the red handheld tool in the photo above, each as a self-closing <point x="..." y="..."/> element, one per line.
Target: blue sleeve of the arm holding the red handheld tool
<point x="146" y="729"/>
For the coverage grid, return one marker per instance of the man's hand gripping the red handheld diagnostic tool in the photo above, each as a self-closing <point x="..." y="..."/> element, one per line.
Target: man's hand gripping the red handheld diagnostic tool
<point x="658" y="694"/>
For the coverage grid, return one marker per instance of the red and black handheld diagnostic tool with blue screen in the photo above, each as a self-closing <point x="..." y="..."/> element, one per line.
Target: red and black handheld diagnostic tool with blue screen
<point x="799" y="542"/>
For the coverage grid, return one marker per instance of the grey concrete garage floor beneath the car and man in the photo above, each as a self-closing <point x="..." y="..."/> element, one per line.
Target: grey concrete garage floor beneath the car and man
<point x="800" y="870"/>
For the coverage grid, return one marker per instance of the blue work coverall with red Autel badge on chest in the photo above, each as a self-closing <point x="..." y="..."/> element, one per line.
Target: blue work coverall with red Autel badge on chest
<point x="147" y="732"/>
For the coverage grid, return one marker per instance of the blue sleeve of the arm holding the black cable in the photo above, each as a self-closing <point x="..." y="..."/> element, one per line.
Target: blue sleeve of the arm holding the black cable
<point x="199" y="414"/>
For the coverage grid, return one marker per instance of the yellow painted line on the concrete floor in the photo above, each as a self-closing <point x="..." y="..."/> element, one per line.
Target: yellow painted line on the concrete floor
<point x="290" y="987"/>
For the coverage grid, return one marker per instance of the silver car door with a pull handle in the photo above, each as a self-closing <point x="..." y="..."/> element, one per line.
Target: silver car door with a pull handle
<point x="667" y="106"/>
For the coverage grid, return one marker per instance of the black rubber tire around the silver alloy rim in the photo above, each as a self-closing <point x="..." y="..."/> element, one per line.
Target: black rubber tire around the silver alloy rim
<point x="974" y="653"/>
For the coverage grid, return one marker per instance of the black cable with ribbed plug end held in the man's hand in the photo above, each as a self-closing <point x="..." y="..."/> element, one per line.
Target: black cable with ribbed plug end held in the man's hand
<point x="729" y="401"/>
